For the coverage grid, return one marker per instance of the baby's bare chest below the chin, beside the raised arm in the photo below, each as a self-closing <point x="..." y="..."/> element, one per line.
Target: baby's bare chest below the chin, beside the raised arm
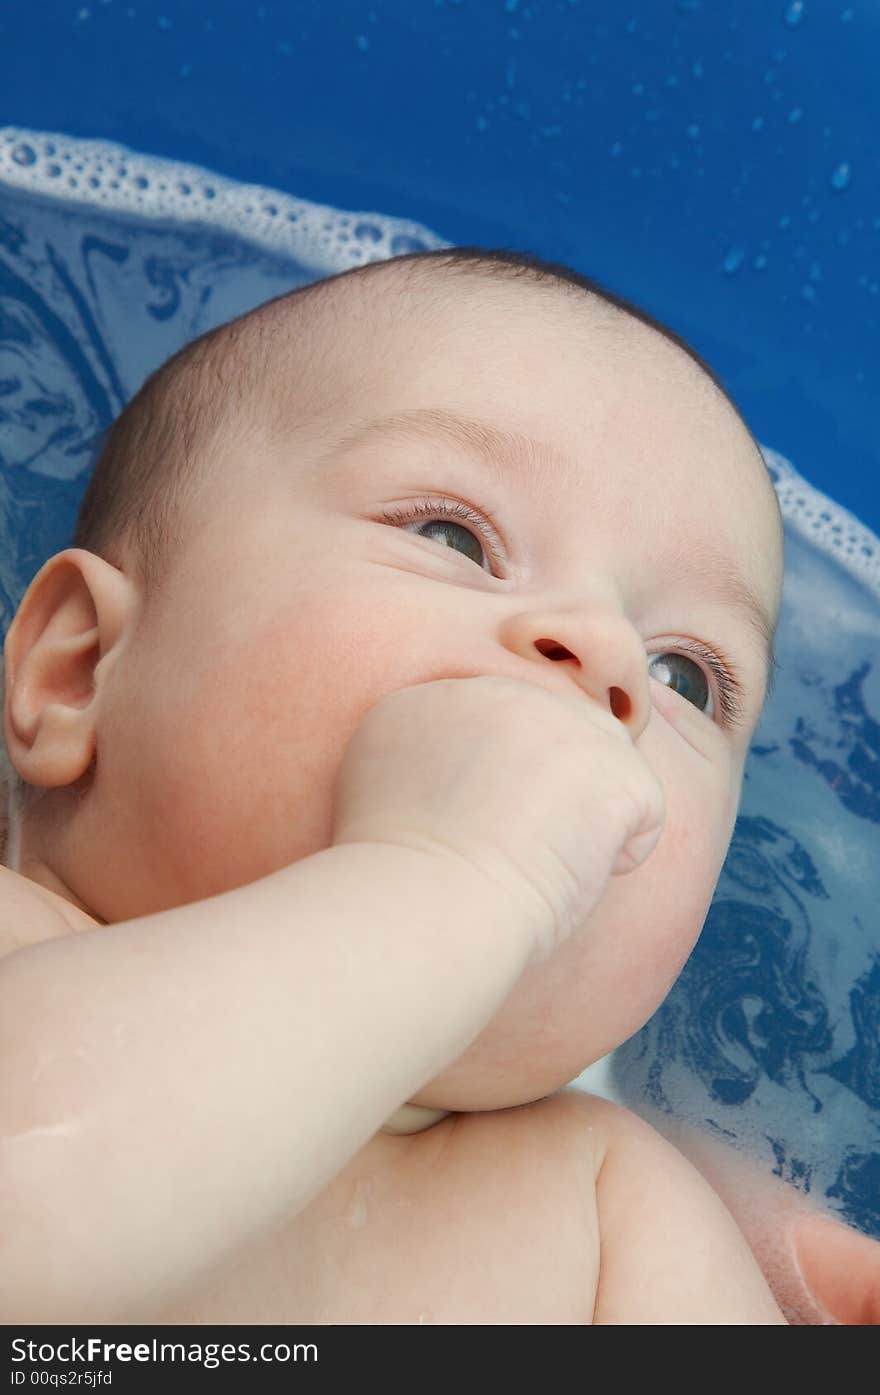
<point x="423" y="1245"/>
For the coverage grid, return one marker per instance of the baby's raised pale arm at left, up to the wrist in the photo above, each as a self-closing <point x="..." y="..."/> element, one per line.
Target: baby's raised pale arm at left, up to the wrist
<point x="178" y="1085"/>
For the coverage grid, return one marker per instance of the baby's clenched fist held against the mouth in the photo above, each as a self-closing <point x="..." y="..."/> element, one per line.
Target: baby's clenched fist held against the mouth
<point x="543" y="794"/>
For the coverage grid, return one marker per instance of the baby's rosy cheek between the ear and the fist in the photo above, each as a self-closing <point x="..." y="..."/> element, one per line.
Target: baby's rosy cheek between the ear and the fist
<point x="267" y="718"/>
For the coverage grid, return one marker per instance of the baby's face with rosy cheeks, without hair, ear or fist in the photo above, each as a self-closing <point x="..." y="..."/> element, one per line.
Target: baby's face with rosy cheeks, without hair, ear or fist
<point x="298" y="606"/>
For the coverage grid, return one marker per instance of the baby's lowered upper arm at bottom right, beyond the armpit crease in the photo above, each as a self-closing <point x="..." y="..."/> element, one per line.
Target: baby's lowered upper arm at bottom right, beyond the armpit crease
<point x="670" y="1249"/>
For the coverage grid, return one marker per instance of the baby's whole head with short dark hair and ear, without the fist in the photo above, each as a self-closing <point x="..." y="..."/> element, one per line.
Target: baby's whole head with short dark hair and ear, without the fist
<point x="182" y="683"/>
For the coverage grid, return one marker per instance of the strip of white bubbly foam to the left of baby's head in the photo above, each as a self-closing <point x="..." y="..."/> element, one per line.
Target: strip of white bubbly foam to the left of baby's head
<point x="114" y="178"/>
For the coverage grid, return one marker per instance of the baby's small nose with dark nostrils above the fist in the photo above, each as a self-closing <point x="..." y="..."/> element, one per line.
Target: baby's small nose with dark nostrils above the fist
<point x="603" y="652"/>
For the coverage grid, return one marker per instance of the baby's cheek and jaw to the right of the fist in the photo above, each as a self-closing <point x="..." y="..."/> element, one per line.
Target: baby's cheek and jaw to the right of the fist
<point x="612" y="976"/>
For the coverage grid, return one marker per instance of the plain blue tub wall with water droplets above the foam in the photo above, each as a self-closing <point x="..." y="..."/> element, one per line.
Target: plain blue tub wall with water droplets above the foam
<point x="716" y="163"/>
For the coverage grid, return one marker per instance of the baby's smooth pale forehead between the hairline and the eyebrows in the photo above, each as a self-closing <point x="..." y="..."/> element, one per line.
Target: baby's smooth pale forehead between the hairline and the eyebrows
<point x="599" y="389"/>
